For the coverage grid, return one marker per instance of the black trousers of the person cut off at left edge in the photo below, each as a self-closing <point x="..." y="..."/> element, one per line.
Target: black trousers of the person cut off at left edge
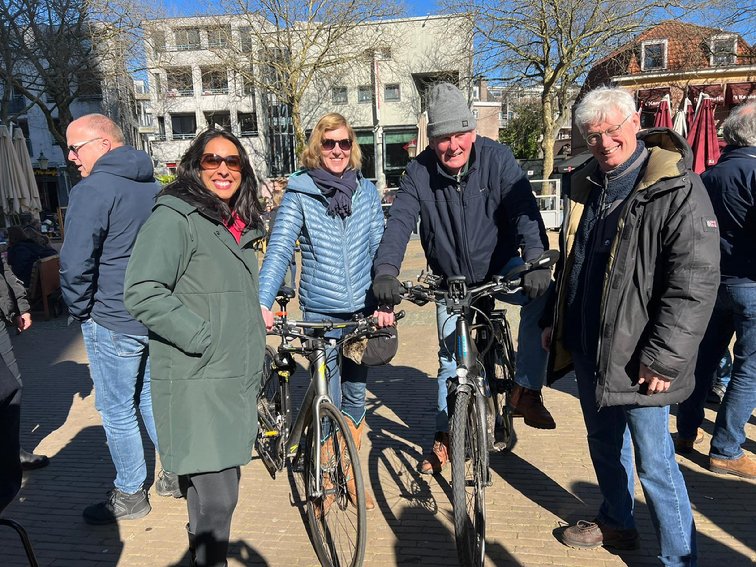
<point x="10" y="421"/>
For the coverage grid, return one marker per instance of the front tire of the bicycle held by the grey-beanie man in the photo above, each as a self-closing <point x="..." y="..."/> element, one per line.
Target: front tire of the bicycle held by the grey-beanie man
<point x="469" y="478"/>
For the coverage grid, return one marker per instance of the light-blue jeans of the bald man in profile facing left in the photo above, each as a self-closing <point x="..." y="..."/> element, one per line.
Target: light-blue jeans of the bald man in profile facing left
<point x="120" y="370"/>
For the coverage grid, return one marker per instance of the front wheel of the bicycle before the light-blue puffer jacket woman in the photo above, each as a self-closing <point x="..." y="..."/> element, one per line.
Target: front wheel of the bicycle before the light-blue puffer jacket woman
<point x="338" y="526"/>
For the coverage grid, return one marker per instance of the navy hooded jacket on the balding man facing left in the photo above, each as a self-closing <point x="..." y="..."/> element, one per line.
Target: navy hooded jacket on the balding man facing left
<point x="105" y="212"/>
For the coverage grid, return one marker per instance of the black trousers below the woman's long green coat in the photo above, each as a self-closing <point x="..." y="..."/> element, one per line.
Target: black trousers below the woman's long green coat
<point x="211" y="499"/>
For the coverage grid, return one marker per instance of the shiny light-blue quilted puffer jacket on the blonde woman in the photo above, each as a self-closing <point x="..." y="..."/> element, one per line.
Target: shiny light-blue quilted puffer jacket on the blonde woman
<point x="337" y="254"/>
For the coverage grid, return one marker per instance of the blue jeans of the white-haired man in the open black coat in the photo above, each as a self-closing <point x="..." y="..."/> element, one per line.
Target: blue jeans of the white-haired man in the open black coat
<point x="612" y="434"/>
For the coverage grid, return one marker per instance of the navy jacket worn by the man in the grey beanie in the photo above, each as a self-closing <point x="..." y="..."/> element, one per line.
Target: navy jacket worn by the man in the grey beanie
<point x="470" y="224"/>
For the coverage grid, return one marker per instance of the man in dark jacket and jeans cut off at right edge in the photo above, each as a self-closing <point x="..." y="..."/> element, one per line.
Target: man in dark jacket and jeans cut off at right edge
<point x="732" y="187"/>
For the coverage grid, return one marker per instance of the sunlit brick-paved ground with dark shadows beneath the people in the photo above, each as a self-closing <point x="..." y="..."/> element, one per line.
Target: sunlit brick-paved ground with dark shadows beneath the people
<point x="547" y="481"/>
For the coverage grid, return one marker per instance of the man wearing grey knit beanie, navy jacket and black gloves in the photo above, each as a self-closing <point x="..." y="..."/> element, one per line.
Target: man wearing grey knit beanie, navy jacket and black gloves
<point x="478" y="218"/>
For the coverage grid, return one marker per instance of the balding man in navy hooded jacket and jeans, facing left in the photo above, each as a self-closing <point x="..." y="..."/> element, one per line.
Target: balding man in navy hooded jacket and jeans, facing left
<point x="106" y="209"/>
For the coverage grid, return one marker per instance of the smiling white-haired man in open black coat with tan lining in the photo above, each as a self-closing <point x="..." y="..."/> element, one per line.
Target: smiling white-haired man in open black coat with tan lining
<point x="635" y="288"/>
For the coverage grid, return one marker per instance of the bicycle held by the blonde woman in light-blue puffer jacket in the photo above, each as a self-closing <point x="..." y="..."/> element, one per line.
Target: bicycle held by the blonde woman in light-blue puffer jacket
<point x="328" y="458"/>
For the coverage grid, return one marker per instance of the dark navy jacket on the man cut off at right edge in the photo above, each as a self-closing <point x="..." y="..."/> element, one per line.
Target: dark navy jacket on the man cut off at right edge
<point x="732" y="189"/>
